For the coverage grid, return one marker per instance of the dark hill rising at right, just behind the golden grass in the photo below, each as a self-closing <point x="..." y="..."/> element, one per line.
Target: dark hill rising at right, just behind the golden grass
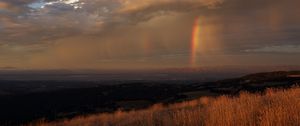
<point x="255" y="82"/>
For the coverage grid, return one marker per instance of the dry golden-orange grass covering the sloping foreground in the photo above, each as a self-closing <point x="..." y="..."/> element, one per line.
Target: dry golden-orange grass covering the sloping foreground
<point x="273" y="108"/>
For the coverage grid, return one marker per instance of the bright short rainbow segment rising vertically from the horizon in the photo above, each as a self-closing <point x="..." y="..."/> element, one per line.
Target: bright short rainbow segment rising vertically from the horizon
<point x="195" y="41"/>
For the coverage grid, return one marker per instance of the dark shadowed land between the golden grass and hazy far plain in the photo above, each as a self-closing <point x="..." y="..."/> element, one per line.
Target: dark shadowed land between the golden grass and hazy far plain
<point x="21" y="108"/>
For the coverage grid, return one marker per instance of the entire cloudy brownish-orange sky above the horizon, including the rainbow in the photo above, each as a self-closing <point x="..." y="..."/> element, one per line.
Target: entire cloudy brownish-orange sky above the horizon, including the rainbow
<point x="147" y="34"/>
